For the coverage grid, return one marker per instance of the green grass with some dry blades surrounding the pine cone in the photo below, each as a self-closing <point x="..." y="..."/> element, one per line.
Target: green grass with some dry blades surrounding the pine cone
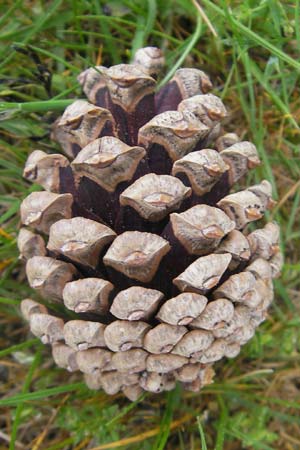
<point x="253" y="59"/>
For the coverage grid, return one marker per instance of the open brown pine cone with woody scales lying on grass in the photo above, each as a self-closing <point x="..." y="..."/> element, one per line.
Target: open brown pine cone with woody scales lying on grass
<point x="146" y="244"/>
